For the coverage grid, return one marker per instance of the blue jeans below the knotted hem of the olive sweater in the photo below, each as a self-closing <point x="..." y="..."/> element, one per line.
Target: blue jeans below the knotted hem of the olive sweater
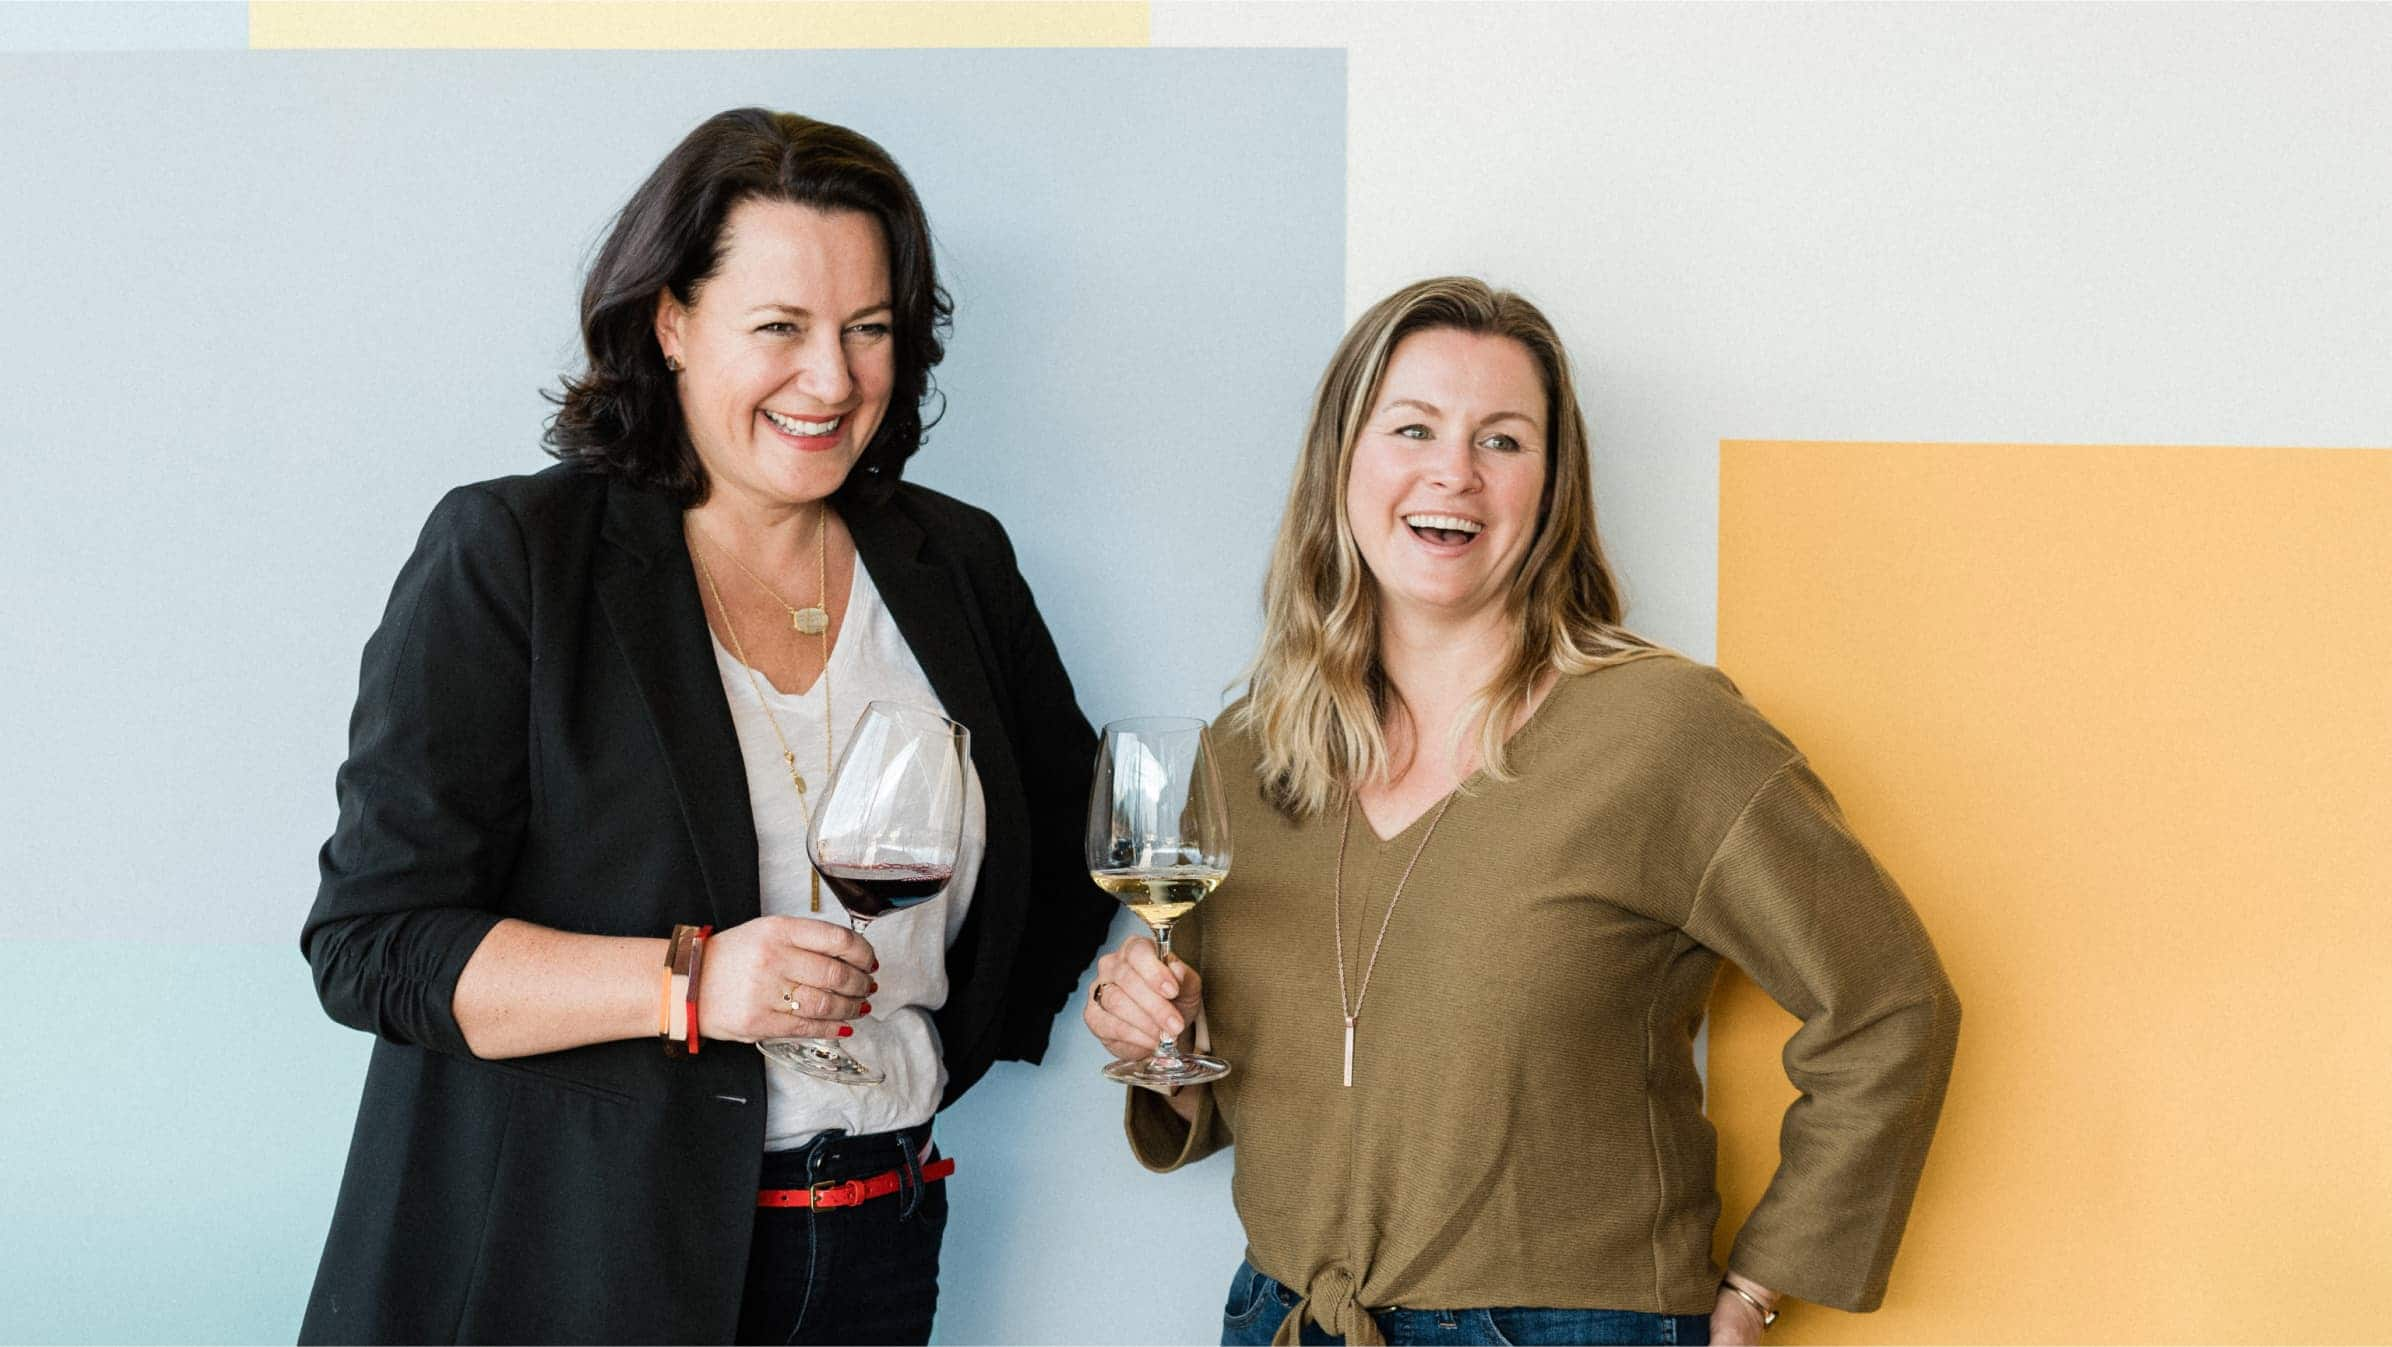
<point x="1257" y="1308"/>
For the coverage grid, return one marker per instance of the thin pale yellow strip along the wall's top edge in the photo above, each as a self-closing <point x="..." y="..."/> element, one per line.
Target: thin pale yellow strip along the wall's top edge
<point x="695" y="25"/>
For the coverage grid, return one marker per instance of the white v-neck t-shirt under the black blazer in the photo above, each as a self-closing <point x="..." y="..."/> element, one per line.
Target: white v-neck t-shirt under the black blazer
<point x="869" y="664"/>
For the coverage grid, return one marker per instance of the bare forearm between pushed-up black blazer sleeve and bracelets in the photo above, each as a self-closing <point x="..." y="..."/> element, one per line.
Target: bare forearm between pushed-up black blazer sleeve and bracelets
<point x="530" y="989"/>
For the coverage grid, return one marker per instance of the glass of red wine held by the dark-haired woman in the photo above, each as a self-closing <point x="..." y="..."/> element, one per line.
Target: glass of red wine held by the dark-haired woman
<point x="884" y="839"/>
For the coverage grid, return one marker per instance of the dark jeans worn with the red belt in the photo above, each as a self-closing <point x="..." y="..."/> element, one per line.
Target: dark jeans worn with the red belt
<point x="848" y="1274"/>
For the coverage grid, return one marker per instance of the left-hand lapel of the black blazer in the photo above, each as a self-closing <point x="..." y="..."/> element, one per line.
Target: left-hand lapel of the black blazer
<point x="652" y="602"/>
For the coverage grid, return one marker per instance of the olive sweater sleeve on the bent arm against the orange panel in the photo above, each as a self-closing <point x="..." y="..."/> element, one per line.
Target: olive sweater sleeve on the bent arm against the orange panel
<point x="1798" y="903"/>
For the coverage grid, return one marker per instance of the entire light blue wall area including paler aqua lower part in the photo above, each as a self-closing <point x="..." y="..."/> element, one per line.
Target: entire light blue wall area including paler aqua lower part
<point x="271" y="305"/>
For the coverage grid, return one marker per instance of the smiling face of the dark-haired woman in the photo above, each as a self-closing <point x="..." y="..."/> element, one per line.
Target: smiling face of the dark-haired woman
<point x="788" y="351"/>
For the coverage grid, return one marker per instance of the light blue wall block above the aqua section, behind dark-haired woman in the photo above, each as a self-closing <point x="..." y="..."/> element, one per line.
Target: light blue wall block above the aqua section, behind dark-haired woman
<point x="271" y="305"/>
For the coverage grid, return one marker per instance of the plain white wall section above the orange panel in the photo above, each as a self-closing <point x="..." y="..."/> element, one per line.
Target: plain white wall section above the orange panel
<point x="2080" y="224"/>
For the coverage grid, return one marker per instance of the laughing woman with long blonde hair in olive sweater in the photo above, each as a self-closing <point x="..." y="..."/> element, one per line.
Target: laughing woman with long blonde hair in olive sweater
<point x="1491" y="851"/>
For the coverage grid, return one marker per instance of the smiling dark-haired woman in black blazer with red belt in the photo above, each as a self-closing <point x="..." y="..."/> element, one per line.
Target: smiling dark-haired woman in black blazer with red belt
<point x="570" y="870"/>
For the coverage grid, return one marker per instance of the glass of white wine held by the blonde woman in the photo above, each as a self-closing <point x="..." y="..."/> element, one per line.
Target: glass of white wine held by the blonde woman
<point x="1159" y="839"/>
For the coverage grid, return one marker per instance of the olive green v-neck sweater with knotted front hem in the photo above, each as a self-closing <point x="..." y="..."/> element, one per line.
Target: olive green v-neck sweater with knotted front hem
<point x="1527" y="1123"/>
